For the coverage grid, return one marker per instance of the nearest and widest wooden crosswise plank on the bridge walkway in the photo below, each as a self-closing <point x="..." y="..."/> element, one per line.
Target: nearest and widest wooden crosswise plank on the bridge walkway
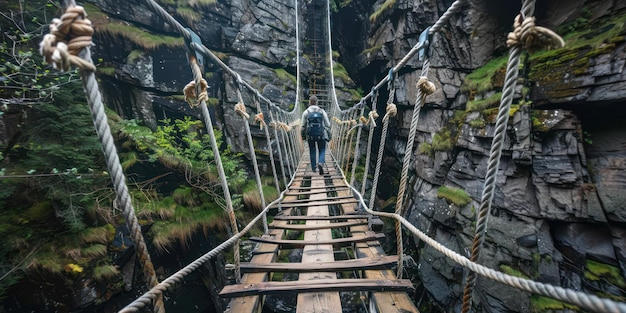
<point x="318" y="285"/>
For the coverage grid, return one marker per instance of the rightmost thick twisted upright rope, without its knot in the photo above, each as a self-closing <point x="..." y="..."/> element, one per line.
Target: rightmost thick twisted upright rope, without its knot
<point x="510" y="81"/>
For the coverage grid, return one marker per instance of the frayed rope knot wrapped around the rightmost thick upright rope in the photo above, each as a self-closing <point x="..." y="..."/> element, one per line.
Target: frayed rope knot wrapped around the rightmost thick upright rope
<point x="525" y="33"/>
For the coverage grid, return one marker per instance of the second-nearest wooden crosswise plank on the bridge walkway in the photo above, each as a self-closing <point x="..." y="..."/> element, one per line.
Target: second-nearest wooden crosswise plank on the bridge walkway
<point x="336" y="266"/>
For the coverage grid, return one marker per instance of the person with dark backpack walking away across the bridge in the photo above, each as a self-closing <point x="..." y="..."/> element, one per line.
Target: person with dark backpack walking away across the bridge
<point x="316" y="130"/>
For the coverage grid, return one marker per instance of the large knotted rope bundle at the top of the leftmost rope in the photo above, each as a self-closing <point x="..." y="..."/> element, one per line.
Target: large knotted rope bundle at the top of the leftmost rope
<point x="67" y="37"/>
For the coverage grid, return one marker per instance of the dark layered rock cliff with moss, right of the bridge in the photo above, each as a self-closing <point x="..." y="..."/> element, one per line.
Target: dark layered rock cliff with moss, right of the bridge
<point x="558" y="213"/>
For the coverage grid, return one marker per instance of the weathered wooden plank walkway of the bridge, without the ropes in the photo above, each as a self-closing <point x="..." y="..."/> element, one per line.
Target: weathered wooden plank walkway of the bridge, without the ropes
<point x="343" y="267"/>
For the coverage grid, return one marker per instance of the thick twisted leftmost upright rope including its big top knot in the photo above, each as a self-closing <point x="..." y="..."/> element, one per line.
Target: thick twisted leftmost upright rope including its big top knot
<point x="66" y="29"/>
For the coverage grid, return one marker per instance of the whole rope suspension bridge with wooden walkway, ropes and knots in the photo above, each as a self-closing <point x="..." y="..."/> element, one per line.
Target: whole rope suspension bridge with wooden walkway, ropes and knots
<point x="68" y="44"/>
